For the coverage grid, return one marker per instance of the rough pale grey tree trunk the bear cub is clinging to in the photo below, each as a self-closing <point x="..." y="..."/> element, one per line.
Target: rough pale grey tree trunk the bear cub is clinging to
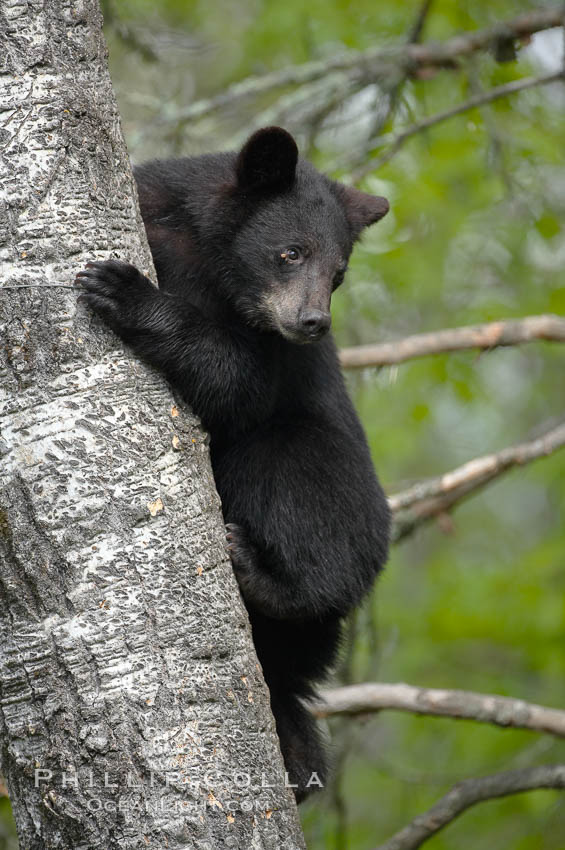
<point x="132" y="709"/>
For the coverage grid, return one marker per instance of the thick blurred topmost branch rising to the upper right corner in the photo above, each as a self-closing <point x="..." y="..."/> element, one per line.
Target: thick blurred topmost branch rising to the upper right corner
<point x="377" y="62"/>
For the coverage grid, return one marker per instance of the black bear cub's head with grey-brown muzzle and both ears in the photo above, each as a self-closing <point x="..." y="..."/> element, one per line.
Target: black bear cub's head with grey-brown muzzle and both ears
<point x="293" y="232"/>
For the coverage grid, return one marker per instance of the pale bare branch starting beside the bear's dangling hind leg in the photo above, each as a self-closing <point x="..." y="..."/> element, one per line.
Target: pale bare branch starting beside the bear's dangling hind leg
<point x="468" y="705"/>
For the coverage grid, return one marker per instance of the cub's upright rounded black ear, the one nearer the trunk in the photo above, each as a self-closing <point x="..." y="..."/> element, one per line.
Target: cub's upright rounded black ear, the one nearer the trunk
<point x="267" y="161"/>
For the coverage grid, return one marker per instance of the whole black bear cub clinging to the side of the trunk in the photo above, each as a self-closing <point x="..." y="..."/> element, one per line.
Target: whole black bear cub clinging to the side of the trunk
<point x="248" y="248"/>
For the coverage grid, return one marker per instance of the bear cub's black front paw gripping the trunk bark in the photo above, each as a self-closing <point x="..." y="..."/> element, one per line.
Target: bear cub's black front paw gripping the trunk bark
<point x="117" y="291"/>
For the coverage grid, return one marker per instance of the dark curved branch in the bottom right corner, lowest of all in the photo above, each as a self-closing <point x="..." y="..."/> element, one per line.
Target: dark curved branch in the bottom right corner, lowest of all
<point x="469" y="792"/>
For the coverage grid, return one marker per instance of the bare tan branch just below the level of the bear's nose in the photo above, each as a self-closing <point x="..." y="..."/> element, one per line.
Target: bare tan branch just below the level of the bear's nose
<point x="486" y="337"/>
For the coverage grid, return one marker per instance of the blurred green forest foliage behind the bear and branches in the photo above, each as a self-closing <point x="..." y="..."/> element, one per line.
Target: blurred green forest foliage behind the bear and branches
<point x="476" y="232"/>
